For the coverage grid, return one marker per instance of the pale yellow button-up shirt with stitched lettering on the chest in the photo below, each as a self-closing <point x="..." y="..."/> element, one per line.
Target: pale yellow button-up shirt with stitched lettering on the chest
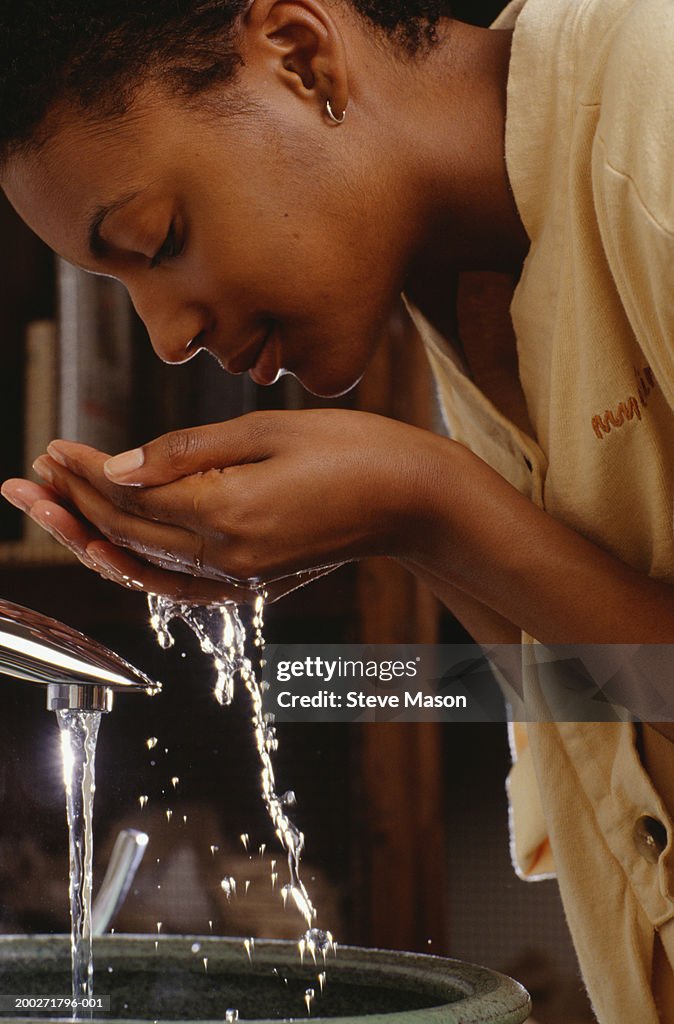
<point x="591" y="154"/>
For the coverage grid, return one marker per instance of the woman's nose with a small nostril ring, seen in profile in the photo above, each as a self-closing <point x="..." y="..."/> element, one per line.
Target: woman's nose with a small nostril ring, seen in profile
<point x="177" y="329"/>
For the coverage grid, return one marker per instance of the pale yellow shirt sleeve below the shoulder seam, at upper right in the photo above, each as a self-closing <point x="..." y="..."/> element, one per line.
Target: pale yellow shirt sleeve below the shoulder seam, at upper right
<point x="634" y="178"/>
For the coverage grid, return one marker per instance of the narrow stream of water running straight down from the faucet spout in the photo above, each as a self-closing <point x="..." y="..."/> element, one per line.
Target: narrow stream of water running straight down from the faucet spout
<point x="79" y="732"/>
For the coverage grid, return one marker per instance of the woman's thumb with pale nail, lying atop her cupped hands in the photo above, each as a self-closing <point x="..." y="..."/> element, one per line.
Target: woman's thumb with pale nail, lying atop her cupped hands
<point x="194" y="450"/>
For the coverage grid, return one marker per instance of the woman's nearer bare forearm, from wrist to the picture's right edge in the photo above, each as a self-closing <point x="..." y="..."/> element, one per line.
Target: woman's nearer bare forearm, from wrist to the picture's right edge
<point x="494" y="546"/>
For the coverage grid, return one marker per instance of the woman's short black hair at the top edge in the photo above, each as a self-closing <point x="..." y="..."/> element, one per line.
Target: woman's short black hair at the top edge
<point x="96" y="53"/>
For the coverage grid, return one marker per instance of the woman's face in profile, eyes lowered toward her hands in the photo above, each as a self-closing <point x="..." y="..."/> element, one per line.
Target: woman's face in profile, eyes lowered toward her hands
<point x="263" y="237"/>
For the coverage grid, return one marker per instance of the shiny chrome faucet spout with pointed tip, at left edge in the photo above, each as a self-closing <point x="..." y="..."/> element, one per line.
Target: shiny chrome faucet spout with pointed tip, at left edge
<point x="78" y="672"/>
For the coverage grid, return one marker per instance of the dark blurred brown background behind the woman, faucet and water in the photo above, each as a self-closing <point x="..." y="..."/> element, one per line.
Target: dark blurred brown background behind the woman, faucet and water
<point x="407" y="840"/>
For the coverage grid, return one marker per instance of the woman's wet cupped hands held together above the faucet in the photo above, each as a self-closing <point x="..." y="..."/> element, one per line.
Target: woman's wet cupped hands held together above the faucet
<point x="236" y="506"/>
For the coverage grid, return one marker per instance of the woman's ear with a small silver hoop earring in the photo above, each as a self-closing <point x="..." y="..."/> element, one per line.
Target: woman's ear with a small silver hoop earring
<point x="301" y="44"/>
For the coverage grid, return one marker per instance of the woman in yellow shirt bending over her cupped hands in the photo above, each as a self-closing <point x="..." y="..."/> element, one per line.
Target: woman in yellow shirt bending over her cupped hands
<point x="266" y="178"/>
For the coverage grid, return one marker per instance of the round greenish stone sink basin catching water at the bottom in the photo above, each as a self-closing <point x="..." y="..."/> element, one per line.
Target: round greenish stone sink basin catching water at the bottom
<point x="165" y="979"/>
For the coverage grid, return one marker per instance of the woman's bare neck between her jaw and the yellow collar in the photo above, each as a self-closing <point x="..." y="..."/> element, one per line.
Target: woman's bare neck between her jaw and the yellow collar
<point x="457" y="168"/>
